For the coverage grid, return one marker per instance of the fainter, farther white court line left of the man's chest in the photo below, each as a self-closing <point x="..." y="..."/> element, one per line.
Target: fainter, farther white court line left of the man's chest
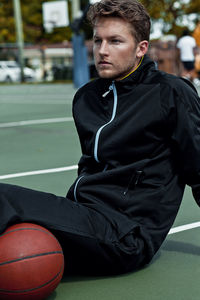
<point x="35" y="122"/>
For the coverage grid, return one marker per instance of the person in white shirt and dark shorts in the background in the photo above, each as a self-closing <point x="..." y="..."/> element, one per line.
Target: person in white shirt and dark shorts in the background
<point x="187" y="46"/>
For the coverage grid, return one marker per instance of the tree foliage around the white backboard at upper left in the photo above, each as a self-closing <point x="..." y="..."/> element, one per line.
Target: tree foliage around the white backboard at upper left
<point x="32" y="24"/>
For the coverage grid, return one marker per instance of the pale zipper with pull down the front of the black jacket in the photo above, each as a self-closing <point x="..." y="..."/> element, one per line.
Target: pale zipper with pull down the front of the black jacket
<point x="112" y="87"/>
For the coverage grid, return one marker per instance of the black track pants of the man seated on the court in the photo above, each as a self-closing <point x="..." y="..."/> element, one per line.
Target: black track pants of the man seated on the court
<point x="90" y="241"/>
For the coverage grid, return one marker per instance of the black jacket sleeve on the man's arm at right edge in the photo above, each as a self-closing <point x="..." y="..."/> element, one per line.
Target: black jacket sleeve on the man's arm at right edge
<point x="185" y="135"/>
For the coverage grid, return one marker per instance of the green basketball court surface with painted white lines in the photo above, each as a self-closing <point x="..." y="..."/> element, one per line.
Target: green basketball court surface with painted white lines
<point x="38" y="135"/>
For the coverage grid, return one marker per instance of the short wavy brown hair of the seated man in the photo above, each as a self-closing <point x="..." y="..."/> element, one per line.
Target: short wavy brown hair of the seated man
<point x="131" y="11"/>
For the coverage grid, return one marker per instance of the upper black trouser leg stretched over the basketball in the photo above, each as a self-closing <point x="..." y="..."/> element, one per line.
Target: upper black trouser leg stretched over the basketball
<point x="18" y="204"/>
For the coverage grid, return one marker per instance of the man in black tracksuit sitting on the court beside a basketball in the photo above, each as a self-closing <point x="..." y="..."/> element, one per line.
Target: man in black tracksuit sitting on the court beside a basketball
<point x="139" y="130"/>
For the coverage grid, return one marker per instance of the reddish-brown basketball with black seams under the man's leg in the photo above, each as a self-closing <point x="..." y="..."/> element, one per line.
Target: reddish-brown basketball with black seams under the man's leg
<point x="31" y="262"/>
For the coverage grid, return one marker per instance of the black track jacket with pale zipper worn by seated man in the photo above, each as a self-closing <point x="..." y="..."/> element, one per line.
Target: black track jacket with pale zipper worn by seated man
<point x="140" y="140"/>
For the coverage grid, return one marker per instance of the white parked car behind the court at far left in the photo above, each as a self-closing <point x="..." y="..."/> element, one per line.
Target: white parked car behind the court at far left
<point x="10" y="72"/>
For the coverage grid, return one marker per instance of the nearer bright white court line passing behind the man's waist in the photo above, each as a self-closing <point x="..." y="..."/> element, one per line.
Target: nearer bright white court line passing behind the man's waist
<point x="74" y="167"/>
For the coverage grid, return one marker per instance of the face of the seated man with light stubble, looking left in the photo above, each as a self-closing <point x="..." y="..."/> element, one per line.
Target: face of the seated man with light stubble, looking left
<point x="116" y="53"/>
